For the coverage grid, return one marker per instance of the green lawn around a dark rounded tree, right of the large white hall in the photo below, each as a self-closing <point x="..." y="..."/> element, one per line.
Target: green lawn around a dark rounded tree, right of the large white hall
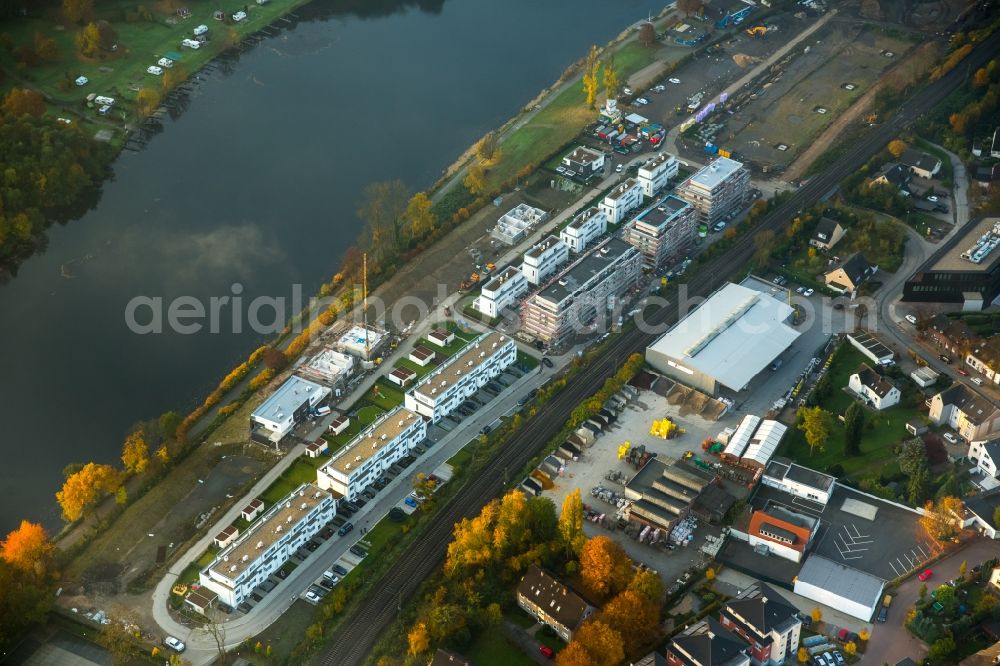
<point x="882" y="429"/>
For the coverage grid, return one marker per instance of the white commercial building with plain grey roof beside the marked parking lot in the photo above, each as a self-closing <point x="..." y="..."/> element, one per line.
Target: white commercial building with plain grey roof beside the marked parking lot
<point x="839" y="586"/>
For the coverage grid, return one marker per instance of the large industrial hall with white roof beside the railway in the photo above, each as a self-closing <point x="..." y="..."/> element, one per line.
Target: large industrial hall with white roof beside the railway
<point x="726" y="341"/>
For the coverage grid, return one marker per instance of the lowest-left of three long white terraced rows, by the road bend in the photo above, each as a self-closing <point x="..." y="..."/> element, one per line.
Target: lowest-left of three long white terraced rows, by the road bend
<point x="268" y="543"/>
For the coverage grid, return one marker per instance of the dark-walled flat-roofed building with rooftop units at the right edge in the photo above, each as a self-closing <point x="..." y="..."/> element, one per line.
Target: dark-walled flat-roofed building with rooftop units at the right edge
<point x="965" y="270"/>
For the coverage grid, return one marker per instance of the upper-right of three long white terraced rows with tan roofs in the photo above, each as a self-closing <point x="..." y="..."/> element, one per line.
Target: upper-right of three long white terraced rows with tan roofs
<point x="462" y="375"/>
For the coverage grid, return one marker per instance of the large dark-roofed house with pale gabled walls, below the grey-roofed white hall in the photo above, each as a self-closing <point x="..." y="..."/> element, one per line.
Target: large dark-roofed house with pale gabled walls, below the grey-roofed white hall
<point x="767" y="622"/>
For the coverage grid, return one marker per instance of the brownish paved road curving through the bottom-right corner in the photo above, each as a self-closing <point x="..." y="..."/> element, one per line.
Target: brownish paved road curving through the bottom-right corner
<point x="890" y="642"/>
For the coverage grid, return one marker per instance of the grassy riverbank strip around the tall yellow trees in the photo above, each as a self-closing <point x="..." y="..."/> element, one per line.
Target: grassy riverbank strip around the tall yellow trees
<point x="560" y="120"/>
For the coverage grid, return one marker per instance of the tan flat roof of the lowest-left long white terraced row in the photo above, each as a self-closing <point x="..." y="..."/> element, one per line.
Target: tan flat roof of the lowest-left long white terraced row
<point x="276" y="521"/>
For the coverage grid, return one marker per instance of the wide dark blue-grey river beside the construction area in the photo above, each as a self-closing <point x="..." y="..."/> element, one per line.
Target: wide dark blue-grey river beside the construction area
<point x="256" y="183"/>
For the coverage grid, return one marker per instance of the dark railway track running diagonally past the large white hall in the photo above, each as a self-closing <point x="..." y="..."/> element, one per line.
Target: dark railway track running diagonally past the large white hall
<point x="362" y="628"/>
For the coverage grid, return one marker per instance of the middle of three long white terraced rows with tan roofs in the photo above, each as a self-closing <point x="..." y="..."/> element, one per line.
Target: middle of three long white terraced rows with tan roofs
<point x="372" y="452"/>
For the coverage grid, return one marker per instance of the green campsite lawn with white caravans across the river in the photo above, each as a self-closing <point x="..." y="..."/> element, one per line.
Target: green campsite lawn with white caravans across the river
<point x="140" y="44"/>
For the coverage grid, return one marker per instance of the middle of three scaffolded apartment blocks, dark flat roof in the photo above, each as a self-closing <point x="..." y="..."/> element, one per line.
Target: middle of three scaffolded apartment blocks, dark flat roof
<point x="665" y="232"/>
